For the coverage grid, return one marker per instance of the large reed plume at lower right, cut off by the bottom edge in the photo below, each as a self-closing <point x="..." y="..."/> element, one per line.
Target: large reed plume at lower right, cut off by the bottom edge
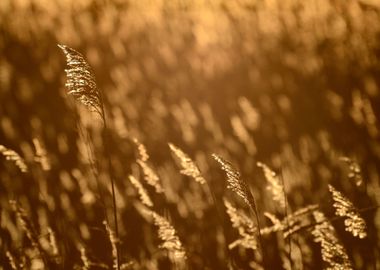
<point x="333" y="252"/>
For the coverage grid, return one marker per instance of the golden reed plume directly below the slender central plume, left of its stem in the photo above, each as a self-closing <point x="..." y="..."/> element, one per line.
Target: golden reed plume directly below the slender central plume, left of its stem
<point x="247" y="230"/>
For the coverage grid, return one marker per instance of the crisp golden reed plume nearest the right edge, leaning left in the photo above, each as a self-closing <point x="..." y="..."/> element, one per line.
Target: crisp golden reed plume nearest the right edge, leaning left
<point x="353" y="223"/>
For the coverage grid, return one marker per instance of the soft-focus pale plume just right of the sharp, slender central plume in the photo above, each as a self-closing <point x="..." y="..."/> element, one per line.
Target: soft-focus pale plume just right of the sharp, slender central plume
<point x="275" y="185"/>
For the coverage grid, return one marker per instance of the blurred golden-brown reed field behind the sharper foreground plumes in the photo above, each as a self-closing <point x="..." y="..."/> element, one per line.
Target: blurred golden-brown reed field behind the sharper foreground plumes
<point x="291" y="84"/>
